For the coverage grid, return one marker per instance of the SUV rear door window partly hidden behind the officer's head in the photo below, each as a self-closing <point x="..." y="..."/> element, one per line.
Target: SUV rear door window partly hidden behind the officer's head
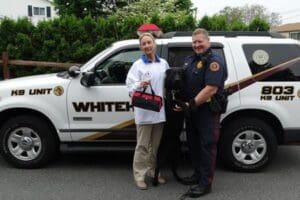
<point x="177" y="55"/>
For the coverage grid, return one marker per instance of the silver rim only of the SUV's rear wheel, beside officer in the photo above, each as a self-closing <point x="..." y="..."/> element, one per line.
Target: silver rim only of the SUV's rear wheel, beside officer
<point x="249" y="147"/>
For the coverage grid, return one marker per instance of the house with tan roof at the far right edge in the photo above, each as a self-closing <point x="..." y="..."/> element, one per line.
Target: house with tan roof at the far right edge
<point x="288" y="30"/>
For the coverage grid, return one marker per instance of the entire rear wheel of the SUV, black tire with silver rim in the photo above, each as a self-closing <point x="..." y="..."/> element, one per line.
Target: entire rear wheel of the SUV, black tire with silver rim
<point x="247" y="145"/>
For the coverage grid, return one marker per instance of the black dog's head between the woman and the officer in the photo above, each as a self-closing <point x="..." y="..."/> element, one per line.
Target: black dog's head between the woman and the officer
<point x="174" y="79"/>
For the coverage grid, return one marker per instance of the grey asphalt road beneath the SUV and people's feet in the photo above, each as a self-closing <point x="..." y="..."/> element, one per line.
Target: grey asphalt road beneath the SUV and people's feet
<point x="108" y="176"/>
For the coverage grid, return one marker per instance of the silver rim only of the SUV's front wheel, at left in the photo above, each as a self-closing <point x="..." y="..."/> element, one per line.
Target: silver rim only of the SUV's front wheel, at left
<point x="24" y="144"/>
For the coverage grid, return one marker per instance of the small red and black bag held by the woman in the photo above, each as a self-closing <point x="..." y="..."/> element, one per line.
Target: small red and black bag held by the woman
<point x="147" y="101"/>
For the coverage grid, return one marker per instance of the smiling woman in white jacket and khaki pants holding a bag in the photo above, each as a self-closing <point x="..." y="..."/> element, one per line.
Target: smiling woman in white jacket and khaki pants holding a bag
<point x="149" y="69"/>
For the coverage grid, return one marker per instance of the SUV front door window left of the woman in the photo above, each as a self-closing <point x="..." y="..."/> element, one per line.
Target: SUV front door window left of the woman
<point x="114" y="69"/>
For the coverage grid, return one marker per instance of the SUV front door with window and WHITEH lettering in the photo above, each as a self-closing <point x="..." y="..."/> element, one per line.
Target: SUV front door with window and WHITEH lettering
<point x="103" y="111"/>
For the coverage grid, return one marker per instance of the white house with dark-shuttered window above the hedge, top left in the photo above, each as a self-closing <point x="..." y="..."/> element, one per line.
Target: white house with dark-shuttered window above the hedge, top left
<point x="35" y="10"/>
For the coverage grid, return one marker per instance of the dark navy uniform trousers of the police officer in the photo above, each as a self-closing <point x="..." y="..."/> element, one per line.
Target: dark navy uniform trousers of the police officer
<point x="202" y="134"/>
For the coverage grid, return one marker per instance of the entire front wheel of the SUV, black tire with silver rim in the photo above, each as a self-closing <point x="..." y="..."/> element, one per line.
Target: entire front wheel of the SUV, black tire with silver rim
<point x="27" y="142"/>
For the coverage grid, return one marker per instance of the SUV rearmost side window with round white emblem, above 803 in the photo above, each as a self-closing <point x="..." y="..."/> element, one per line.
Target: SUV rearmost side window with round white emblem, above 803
<point x="261" y="57"/>
